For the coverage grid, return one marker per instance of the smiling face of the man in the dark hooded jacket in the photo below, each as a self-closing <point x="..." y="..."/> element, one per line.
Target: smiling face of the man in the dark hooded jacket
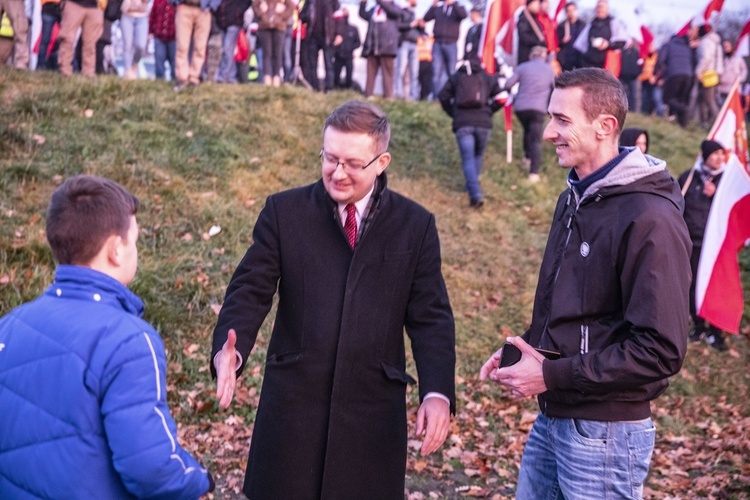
<point x="572" y="132"/>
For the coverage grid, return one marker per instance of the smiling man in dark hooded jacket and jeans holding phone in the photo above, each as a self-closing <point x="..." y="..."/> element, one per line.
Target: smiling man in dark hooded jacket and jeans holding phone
<point x="611" y="302"/>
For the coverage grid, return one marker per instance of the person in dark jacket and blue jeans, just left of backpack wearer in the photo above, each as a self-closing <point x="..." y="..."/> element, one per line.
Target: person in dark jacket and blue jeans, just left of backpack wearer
<point x="447" y="15"/>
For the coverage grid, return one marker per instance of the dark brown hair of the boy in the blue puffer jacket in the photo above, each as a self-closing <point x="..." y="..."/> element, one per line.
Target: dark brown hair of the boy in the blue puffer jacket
<point x="83" y="212"/>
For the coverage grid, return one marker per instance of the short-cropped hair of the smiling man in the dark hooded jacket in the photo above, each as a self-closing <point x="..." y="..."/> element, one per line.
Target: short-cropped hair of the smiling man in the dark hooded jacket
<point x="603" y="94"/>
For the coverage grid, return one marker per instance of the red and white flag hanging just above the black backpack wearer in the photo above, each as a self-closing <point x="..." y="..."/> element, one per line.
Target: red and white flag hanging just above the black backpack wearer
<point x="499" y="26"/>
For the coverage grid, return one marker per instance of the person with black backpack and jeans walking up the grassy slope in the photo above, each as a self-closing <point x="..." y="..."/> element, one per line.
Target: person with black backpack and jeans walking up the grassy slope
<point x="472" y="121"/>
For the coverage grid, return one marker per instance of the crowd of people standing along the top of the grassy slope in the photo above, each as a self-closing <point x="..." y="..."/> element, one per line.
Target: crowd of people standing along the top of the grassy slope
<point x="272" y="41"/>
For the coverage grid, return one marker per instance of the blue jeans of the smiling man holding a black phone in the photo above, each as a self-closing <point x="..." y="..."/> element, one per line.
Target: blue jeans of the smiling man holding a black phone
<point x="582" y="459"/>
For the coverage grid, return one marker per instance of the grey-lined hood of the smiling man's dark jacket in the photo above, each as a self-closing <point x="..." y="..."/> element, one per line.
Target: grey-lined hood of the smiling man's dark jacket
<point x="638" y="173"/>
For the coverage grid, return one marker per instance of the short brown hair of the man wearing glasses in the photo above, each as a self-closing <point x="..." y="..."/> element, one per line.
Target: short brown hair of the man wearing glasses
<point x="362" y="118"/>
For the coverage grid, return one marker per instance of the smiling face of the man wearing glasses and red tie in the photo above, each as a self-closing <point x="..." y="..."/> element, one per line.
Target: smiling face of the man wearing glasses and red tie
<point x="351" y="185"/>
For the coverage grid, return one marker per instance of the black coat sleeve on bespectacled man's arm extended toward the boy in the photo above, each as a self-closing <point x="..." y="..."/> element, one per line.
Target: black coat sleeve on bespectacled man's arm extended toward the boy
<point x="250" y="291"/>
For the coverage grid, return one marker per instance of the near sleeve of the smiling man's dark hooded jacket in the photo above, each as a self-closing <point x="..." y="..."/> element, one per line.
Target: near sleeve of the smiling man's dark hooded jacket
<point x="654" y="269"/>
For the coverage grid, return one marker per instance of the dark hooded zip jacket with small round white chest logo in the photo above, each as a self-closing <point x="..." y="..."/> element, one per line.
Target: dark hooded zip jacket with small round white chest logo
<point x="612" y="295"/>
